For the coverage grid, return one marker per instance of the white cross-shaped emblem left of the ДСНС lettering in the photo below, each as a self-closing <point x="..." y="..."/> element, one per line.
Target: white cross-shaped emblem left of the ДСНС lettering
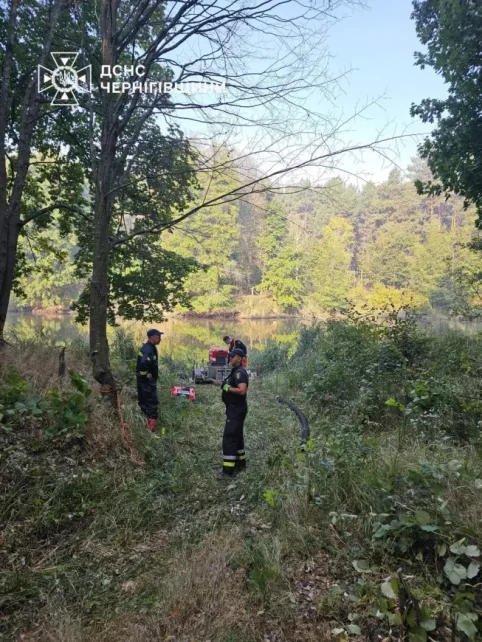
<point x="65" y="79"/>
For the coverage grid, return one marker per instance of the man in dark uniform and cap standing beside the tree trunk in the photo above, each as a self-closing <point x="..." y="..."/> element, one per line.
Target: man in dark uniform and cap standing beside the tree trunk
<point x="147" y="371"/>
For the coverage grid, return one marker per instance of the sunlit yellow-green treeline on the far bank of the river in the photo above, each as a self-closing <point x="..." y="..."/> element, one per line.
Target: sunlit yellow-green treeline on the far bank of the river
<point x="308" y="250"/>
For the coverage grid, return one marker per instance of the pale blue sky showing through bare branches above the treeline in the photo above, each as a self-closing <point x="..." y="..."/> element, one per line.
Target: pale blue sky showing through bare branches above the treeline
<point x="372" y="49"/>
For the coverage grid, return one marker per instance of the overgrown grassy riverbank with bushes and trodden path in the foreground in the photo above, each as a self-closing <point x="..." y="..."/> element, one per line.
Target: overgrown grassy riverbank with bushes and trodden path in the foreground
<point x="374" y="531"/>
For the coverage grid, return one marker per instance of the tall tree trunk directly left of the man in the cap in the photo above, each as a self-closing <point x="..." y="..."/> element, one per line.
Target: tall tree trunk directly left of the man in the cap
<point x="99" y="290"/>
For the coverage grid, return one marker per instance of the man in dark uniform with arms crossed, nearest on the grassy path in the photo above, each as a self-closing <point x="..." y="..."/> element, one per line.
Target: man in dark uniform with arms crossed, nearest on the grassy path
<point x="234" y="395"/>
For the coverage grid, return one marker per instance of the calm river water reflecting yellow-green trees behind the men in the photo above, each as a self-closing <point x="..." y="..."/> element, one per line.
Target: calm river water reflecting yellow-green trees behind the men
<point x="189" y="339"/>
